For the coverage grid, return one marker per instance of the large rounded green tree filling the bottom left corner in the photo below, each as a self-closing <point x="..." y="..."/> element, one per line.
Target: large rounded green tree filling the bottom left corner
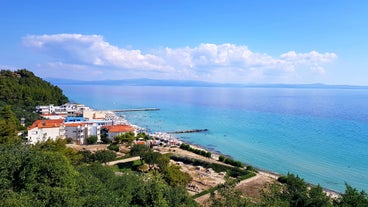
<point x="40" y="178"/>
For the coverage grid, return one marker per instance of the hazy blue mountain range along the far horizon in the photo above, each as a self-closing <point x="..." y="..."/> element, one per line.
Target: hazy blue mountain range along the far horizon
<point x="189" y="83"/>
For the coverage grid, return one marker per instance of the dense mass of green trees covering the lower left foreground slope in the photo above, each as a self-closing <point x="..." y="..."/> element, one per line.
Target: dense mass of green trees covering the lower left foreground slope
<point x="44" y="175"/>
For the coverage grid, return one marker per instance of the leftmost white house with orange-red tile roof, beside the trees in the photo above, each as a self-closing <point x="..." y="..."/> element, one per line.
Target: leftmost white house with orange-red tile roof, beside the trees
<point x="41" y="130"/>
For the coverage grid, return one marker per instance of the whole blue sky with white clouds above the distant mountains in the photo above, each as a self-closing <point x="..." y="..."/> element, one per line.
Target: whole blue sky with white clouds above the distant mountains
<point x="232" y="41"/>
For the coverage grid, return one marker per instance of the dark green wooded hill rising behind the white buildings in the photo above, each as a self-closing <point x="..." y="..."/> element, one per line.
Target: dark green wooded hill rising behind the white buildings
<point x="22" y="90"/>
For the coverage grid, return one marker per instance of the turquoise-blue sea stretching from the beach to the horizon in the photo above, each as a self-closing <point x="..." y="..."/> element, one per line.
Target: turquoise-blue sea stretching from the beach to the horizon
<point x="319" y="134"/>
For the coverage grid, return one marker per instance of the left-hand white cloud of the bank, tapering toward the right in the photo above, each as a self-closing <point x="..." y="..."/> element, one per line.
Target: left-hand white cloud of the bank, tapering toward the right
<point x="94" y="50"/>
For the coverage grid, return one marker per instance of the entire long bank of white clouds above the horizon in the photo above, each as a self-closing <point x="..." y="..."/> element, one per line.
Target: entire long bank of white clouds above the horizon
<point x="212" y="62"/>
